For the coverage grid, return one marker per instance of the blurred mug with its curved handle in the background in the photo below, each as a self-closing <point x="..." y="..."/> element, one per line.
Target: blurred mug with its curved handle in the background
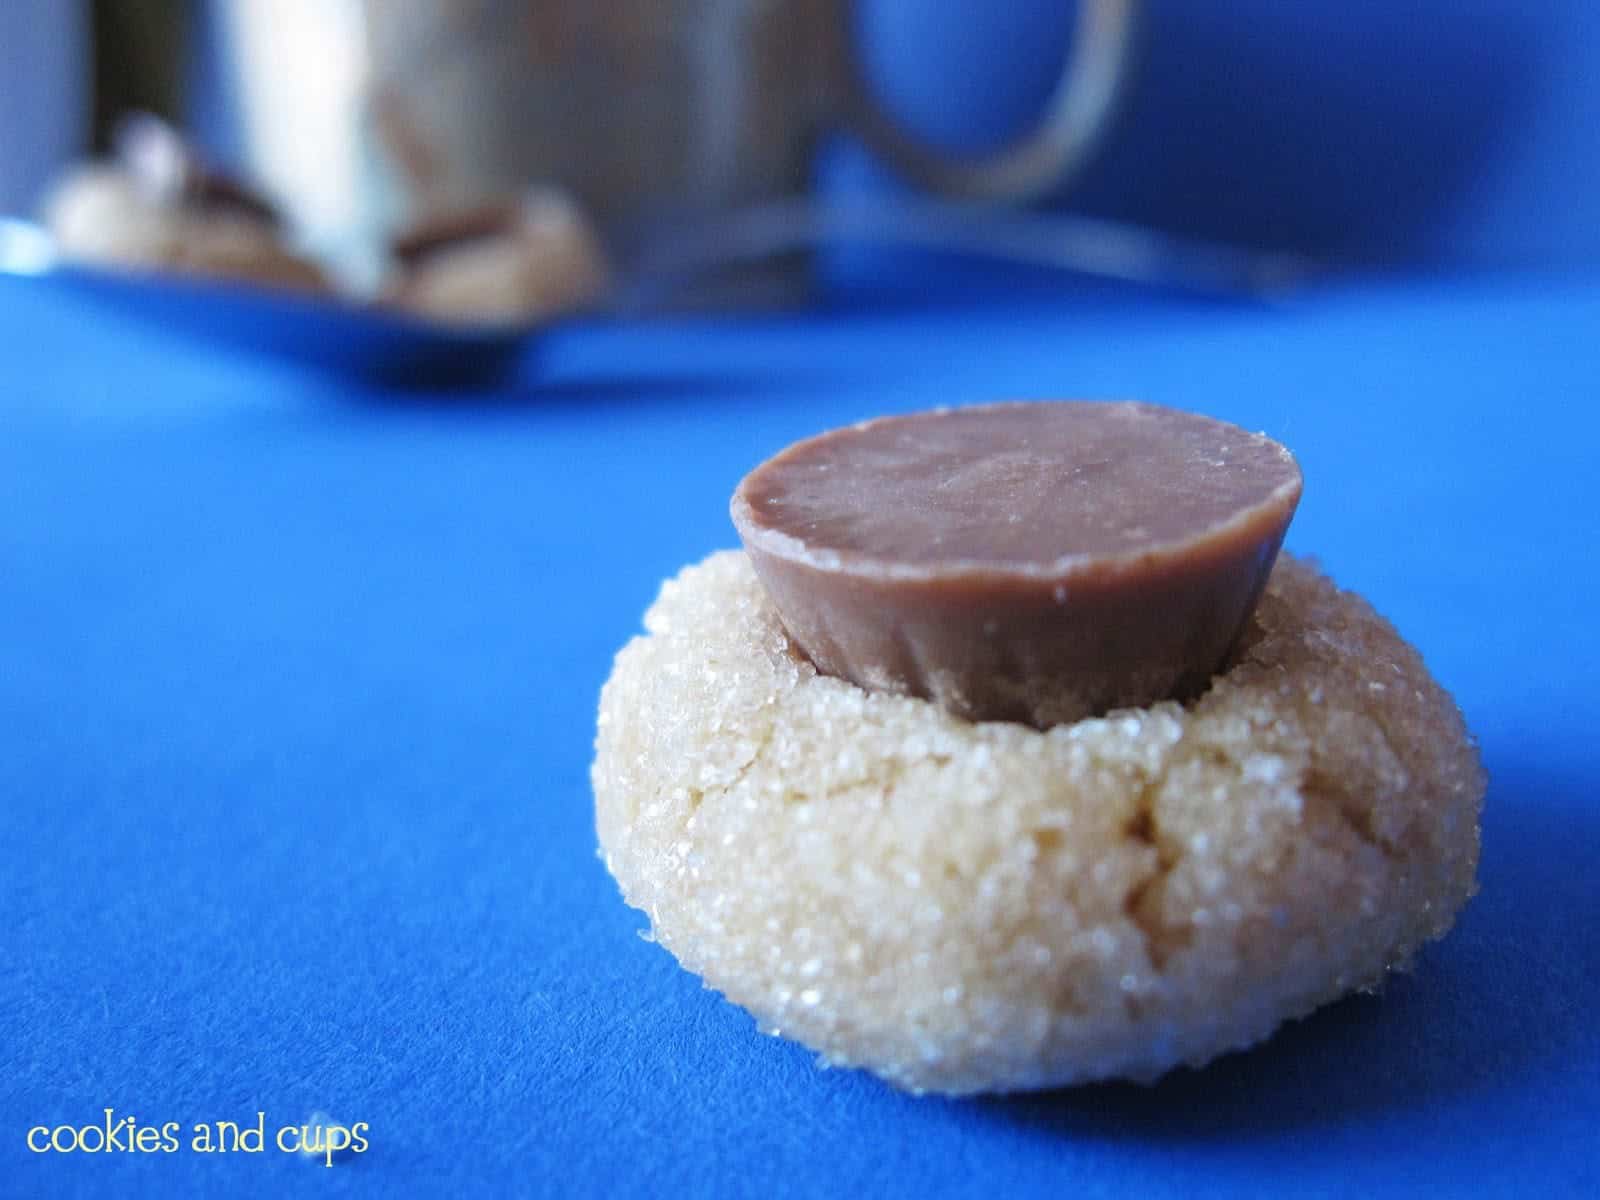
<point x="364" y="114"/>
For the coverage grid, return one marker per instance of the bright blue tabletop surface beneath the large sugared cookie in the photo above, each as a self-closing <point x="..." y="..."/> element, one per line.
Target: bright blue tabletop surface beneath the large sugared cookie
<point x="298" y="684"/>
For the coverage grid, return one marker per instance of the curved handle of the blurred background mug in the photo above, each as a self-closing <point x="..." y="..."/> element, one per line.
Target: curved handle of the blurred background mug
<point x="1081" y="110"/>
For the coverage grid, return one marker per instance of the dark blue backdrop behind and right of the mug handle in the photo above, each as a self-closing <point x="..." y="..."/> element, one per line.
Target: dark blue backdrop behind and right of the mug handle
<point x="1431" y="132"/>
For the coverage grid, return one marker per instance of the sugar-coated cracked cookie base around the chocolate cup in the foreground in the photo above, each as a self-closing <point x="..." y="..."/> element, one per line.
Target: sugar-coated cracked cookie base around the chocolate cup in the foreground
<point x="983" y="906"/>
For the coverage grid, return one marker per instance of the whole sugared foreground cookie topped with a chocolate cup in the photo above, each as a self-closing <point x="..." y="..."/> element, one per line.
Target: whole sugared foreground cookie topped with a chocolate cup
<point x="1012" y="754"/>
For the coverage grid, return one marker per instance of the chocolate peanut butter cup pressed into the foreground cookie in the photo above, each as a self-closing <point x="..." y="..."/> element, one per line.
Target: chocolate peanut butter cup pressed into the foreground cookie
<point x="1034" y="562"/>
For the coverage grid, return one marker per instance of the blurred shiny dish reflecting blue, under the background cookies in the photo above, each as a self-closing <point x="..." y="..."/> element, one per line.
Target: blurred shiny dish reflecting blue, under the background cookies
<point x="362" y="342"/>
